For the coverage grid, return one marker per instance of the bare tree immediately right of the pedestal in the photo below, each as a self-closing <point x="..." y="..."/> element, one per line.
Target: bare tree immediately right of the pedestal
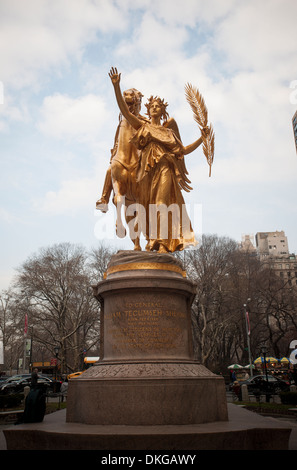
<point x="209" y="267"/>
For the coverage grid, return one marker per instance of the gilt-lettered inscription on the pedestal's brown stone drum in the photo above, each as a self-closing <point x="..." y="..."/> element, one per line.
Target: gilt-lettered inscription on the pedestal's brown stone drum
<point x="145" y="329"/>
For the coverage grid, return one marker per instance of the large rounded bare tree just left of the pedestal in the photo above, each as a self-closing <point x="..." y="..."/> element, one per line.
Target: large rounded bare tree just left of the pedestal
<point x="62" y="310"/>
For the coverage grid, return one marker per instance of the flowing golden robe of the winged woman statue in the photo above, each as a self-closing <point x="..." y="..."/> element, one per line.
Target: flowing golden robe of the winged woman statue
<point x="161" y="175"/>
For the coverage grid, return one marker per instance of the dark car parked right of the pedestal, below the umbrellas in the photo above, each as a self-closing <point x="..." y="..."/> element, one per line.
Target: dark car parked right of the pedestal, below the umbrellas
<point x="260" y="385"/>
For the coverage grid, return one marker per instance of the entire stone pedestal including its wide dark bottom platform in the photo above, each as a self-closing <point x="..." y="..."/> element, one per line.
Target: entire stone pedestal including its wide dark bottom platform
<point x="147" y="392"/>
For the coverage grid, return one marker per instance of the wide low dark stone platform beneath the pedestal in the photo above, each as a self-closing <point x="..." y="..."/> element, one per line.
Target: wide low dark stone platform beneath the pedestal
<point x="244" y="430"/>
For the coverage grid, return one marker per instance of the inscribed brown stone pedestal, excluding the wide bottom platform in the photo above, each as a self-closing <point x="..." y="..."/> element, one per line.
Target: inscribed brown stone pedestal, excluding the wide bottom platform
<point x="146" y="374"/>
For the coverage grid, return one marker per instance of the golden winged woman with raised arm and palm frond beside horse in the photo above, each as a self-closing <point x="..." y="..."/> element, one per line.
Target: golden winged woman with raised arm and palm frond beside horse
<point x="159" y="169"/>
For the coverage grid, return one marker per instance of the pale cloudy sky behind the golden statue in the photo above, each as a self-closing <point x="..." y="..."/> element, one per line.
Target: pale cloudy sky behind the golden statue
<point x="58" y="113"/>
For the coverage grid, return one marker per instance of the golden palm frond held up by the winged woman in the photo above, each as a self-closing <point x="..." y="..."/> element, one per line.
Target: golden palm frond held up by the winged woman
<point x="200" y="112"/>
